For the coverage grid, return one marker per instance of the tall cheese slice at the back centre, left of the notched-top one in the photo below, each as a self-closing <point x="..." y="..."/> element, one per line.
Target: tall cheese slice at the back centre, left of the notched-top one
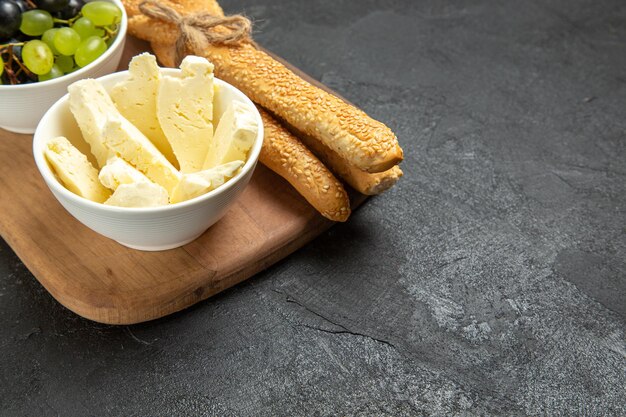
<point x="136" y="100"/>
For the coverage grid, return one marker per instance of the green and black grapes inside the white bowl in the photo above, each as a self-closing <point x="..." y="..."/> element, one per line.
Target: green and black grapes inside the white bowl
<point x="45" y="39"/>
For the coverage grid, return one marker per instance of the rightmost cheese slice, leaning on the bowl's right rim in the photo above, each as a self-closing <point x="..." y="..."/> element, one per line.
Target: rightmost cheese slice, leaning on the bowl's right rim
<point x="234" y="136"/>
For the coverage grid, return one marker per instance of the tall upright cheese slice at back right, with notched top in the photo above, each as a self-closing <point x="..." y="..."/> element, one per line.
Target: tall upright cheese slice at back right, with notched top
<point x="185" y="112"/>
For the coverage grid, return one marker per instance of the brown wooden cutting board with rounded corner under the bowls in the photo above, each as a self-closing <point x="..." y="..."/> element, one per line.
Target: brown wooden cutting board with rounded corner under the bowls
<point x="104" y="281"/>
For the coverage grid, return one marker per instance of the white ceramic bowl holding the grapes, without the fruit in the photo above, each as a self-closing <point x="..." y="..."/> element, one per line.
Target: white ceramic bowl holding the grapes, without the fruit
<point x="22" y="106"/>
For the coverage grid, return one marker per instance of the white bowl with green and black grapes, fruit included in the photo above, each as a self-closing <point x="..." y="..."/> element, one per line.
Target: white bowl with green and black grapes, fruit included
<point x="46" y="45"/>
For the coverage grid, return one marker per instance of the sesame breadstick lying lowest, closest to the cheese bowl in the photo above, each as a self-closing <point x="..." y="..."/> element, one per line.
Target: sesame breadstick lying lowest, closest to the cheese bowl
<point x="284" y="154"/>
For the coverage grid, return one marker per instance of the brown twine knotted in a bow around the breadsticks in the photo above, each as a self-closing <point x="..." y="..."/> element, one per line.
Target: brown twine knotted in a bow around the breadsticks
<point x="197" y="31"/>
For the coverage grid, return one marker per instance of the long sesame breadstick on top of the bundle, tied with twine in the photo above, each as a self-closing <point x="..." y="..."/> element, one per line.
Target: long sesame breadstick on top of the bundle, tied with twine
<point x="363" y="142"/>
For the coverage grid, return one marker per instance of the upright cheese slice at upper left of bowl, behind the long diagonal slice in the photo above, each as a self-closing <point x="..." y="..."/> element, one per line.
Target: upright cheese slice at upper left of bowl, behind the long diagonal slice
<point x="90" y="104"/>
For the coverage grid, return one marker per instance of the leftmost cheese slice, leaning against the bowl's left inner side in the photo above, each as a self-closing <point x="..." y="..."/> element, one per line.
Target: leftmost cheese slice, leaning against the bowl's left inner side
<point x="74" y="170"/>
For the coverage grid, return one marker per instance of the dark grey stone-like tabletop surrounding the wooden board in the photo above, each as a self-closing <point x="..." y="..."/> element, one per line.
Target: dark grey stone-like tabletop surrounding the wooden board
<point x="490" y="280"/>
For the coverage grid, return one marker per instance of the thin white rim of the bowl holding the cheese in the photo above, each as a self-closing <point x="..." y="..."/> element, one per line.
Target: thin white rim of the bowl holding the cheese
<point x="55" y="185"/>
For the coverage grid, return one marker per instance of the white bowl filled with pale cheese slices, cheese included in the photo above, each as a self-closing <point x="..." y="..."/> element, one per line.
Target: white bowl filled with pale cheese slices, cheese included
<point x="150" y="157"/>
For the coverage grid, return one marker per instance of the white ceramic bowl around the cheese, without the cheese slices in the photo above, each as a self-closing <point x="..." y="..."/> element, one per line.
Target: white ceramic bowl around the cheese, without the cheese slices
<point x="156" y="228"/>
